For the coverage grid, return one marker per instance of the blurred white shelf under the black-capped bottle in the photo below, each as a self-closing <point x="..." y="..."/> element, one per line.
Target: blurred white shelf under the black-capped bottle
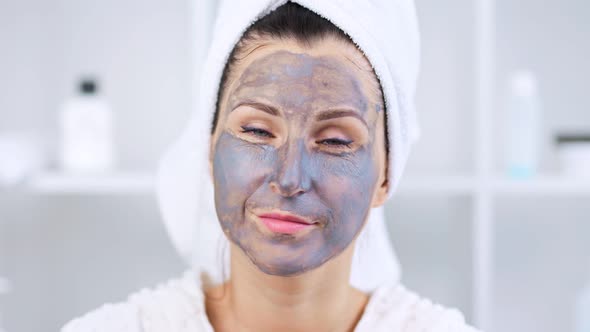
<point x="112" y="183"/>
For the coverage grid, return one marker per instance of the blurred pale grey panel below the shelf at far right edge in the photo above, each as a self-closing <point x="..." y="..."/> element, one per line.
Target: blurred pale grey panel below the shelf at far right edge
<point x="542" y="260"/>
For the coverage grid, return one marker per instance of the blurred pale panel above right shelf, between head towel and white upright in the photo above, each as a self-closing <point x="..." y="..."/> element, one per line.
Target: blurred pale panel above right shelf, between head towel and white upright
<point x="446" y="89"/>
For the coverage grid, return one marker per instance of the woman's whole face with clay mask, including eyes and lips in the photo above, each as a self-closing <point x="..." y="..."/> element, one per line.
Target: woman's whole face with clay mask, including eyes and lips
<point x="299" y="136"/>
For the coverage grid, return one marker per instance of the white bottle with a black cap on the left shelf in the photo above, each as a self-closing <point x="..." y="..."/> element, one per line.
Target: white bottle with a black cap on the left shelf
<point x="86" y="132"/>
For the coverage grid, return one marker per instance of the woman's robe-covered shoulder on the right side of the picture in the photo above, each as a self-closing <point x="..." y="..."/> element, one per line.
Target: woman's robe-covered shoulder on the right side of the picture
<point x="394" y="306"/>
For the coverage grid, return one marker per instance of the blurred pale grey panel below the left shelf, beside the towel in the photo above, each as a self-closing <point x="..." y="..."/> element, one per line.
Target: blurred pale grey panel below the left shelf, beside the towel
<point x="66" y="255"/>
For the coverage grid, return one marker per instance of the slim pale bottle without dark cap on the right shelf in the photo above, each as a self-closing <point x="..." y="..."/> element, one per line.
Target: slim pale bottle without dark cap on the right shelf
<point x="523" y="122"/>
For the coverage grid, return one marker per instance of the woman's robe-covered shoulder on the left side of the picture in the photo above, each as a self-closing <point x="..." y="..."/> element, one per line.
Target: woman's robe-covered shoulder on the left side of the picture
<point x="176" y="305"/>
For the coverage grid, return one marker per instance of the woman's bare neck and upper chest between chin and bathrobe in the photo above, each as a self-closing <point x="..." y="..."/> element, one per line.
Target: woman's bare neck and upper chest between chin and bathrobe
<point x="318" y="300"/>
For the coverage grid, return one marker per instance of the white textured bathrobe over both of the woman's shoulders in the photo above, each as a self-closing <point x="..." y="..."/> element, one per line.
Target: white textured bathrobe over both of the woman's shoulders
<point x="178" y="306"/>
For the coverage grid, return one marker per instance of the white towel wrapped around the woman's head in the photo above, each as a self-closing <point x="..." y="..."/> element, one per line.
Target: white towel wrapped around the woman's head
<point x="386" y="31"/>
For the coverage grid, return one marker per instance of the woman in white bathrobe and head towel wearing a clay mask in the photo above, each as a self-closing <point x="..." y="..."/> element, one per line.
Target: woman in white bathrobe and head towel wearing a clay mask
<point x="306" y="139"/>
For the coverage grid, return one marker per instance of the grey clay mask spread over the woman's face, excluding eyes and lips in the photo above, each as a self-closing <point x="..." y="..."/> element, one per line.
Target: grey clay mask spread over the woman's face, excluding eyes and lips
<point x="297" y="174"/>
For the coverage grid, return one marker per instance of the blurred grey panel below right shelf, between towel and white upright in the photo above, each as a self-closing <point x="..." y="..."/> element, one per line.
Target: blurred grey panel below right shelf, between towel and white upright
<point x="432" y="237"/>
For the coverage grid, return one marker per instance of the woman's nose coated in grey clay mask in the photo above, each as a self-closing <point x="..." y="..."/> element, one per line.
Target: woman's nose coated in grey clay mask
<point x="292" y="176"/>
